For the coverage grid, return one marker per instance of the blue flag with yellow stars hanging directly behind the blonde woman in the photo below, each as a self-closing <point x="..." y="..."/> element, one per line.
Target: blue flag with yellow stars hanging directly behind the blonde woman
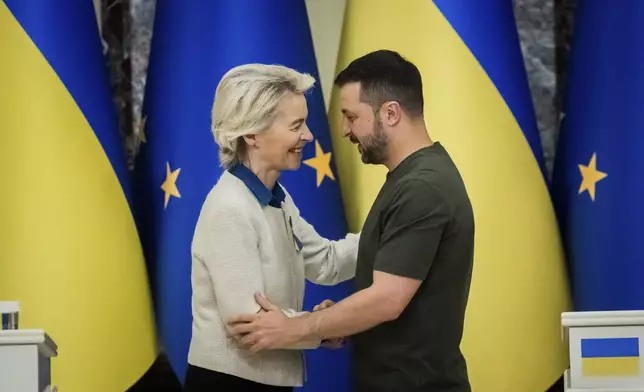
<point x="194" y="44"/>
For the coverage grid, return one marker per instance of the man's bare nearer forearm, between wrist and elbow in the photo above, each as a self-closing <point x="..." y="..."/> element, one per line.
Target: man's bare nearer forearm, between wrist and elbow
<point x="350" y="316"/>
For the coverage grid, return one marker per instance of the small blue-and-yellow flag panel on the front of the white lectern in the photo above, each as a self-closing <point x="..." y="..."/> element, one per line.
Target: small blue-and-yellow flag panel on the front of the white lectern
<point x="610" y="356"/>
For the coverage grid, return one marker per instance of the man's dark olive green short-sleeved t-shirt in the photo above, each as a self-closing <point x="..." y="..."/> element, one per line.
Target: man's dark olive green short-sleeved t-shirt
<point x="420" y="226"/>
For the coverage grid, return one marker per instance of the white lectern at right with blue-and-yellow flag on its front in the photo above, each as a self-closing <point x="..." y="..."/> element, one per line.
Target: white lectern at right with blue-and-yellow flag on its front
<point x="605" y="351"/>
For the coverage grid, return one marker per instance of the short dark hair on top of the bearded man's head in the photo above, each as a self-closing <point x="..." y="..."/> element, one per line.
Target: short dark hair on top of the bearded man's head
<point x="385" y="75"/>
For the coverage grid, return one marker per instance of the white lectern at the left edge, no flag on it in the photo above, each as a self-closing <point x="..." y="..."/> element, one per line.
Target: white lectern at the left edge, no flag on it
<point x="25" y="360"/>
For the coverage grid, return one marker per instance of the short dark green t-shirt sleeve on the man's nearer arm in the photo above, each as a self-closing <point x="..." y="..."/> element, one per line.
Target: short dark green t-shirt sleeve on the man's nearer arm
<point x="413" y="227"/>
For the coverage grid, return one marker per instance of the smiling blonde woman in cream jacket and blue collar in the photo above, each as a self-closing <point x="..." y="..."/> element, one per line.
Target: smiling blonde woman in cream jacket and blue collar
<point x="250" y="236"/>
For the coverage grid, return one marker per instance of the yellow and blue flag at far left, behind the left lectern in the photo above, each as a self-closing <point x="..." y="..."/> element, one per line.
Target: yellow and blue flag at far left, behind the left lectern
<point x="70" y="251"/>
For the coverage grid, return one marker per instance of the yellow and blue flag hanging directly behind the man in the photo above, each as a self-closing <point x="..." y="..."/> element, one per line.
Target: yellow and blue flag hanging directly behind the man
<point x="477" y="103"/>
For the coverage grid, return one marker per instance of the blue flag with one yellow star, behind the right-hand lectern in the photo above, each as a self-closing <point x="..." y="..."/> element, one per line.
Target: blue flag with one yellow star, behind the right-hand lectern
<point x="598" y="184"/>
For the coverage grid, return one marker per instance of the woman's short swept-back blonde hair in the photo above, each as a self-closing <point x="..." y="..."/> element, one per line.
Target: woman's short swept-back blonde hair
<point x="246" y="103"/>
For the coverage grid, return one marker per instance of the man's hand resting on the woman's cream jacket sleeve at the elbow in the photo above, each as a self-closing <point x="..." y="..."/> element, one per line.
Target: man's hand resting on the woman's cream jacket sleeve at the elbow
<point x="266" y="330"/>
